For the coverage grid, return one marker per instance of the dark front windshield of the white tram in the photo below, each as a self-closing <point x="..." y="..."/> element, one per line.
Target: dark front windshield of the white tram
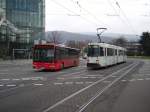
<point x="93" y="50"/>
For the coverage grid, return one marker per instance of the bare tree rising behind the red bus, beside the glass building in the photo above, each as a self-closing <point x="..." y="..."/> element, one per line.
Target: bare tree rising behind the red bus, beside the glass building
<point x="54" y="37"/>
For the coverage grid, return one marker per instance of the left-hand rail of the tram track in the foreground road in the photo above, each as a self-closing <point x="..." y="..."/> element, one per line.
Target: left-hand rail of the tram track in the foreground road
<point x="83" y="89"/>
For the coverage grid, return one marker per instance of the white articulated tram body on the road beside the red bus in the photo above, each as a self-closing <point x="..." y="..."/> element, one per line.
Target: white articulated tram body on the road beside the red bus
<point x="102" y="55"/>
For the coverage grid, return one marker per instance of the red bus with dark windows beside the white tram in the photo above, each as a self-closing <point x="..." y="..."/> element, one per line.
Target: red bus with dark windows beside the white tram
<point x="54" y="57"/>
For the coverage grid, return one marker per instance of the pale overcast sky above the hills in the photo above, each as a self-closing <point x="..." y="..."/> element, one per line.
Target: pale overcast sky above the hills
<point x="118" y="16"/>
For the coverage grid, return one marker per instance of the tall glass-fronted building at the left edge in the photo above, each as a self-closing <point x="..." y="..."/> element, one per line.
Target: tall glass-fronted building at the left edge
<point x="28" y="17"/>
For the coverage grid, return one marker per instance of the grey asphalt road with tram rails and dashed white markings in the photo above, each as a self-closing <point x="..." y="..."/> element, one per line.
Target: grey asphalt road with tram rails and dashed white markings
<point x="120" y="88"/>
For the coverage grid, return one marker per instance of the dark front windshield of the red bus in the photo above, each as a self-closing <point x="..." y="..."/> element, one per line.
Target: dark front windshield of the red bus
<point x="43" y="54"/>
